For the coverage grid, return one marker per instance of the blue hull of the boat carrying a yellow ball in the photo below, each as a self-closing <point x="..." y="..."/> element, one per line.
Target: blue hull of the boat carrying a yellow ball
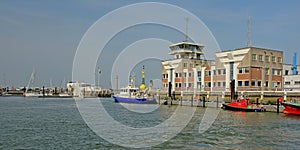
<point x="133" y="100"/>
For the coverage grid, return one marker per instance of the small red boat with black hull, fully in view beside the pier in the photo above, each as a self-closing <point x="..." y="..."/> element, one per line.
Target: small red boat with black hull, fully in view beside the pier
<point x="243" y="104"/>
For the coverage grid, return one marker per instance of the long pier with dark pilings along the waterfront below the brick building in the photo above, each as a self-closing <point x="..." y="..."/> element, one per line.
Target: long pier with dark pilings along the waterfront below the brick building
<point x="267" y="99"/>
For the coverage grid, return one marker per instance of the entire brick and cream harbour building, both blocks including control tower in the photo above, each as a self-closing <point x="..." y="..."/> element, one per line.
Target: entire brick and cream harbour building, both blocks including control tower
<point x="188" y="71"/>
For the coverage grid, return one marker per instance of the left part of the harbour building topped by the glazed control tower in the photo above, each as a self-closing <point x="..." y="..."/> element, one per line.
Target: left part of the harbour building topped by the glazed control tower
<point x="185" y="72"/>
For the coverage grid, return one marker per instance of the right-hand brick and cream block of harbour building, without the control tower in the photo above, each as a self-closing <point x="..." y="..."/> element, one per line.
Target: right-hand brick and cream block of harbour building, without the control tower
<point x="245" y="66"/>
